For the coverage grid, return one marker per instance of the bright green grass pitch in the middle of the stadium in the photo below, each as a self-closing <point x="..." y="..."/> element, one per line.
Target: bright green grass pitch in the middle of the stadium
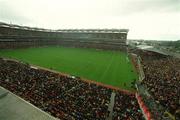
<point x="109" y="67"/>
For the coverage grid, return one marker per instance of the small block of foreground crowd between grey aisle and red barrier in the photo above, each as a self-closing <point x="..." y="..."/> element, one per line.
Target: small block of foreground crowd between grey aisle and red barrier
<point x="128" y="110"/>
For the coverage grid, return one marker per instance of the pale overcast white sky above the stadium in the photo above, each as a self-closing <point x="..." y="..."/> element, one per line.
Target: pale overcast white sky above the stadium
<point x="145" y="19"/>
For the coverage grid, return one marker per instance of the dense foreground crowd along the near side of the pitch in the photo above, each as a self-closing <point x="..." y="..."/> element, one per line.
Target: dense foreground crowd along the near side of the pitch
<point x="65" y="97"/>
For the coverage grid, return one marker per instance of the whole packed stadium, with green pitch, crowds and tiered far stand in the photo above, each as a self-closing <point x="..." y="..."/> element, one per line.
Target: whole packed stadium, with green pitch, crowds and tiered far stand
<point x="87" y="74"/>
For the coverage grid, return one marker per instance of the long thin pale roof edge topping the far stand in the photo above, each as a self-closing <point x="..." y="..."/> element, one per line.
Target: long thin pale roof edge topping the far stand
<point x="65" y="30"/>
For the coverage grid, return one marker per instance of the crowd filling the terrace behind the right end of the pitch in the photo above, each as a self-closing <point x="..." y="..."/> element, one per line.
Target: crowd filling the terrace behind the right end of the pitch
<point x="162" y="79"/>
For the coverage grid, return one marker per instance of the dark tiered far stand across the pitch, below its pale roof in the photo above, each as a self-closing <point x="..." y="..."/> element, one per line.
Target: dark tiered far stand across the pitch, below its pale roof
<point x="14" y="37"/>
